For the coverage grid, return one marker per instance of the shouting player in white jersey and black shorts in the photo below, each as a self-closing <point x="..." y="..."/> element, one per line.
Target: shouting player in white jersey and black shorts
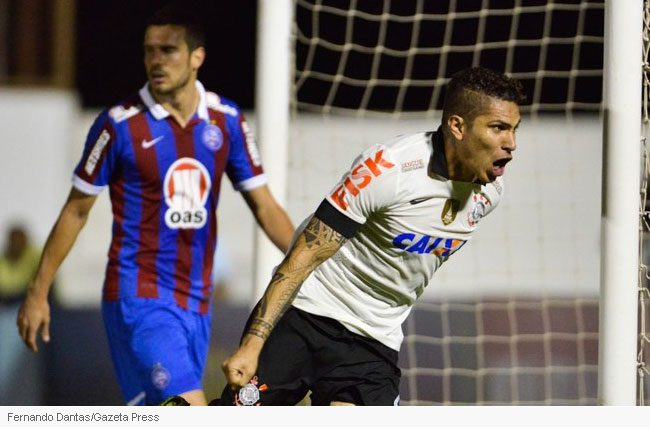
<point x="330" y="320"/>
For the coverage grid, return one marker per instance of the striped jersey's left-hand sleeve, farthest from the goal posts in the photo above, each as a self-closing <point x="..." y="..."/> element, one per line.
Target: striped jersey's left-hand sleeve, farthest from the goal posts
<point x="98" y="162"/>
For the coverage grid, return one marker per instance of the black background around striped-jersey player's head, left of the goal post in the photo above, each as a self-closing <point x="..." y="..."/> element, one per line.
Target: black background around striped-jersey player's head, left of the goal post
<point x="109" y="48"/>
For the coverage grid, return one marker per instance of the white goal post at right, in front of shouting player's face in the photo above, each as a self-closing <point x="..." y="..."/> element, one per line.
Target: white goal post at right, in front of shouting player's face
<point x="620" y="205"/>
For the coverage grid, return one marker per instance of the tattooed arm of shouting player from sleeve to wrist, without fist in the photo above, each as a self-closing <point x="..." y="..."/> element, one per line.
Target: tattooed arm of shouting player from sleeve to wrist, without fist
<point x="320" y="242"/>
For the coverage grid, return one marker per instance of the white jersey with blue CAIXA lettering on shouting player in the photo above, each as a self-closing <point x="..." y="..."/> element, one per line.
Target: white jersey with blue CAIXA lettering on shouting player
<point x="404" y="217"/>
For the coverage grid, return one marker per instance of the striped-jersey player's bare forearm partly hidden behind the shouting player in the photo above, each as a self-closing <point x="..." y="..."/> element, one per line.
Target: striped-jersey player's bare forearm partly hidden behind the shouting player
<point x="270" y="216"/>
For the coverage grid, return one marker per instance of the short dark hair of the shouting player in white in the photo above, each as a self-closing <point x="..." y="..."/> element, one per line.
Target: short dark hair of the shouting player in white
<point x="468" y="89"/>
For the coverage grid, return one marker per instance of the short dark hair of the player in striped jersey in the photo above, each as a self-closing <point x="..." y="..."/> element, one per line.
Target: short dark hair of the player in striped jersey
<point x="182" y="15"/>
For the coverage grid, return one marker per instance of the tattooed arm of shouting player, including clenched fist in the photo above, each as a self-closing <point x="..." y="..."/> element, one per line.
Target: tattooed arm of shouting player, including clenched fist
<point x="316" y="244"/>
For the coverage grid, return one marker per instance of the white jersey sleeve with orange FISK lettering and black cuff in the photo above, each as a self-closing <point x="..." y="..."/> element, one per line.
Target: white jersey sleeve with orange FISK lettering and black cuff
<point x="369" y="186"/>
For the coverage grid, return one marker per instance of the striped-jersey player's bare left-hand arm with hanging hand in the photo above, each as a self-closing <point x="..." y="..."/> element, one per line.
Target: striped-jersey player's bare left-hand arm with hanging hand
<point x="34" y="313"/>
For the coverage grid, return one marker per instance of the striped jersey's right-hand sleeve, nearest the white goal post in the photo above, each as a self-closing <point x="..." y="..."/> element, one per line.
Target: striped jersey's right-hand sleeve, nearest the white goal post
<point x="244" y="167"/>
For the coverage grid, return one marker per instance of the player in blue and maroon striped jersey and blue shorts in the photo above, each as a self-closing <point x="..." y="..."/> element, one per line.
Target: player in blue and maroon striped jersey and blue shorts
<point x="162" y="154"/>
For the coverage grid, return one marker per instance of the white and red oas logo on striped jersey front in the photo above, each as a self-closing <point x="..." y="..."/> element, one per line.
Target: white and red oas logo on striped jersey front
<point x="186" y="187"/>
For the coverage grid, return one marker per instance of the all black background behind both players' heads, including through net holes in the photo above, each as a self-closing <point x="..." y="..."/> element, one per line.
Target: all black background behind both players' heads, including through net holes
<point x="109" y="51"/>
